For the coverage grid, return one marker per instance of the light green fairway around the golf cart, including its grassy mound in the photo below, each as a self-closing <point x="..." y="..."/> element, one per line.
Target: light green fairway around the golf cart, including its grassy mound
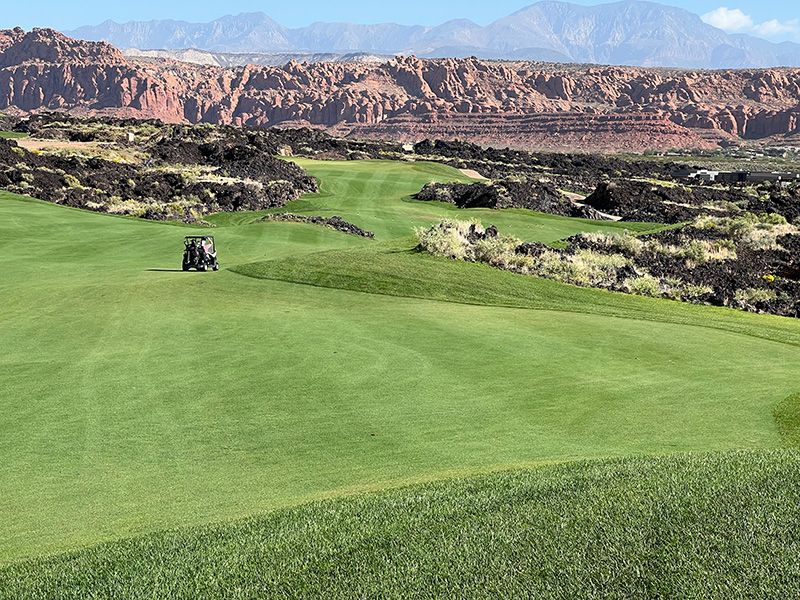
<point x="137" y="397"/>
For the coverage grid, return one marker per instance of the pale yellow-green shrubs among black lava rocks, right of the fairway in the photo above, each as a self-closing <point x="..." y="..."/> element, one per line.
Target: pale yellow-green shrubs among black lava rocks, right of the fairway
<point x="619" y="261"/>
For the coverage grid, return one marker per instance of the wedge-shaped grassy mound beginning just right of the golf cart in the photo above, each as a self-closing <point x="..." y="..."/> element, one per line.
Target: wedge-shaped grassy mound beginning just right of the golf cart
<point x="395" y="268"/>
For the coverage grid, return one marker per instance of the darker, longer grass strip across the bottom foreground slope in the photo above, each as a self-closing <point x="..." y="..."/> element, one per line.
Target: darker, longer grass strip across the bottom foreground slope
<point x="703" y="526"/>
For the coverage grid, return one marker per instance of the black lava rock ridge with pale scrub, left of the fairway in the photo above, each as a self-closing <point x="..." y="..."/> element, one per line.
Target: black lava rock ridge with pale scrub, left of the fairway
<point x="187" y="175"/>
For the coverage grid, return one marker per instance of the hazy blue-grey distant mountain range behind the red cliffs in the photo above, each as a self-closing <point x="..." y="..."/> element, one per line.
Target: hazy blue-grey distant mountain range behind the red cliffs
<point x="622" y="33"/>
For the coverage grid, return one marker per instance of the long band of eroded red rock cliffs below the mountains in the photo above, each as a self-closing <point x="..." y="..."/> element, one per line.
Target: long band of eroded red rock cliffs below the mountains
<point x="518" y="104"/>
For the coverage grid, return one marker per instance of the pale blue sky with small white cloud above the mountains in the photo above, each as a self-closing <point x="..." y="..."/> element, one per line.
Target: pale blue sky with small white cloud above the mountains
<point x="775" y="20"/>
